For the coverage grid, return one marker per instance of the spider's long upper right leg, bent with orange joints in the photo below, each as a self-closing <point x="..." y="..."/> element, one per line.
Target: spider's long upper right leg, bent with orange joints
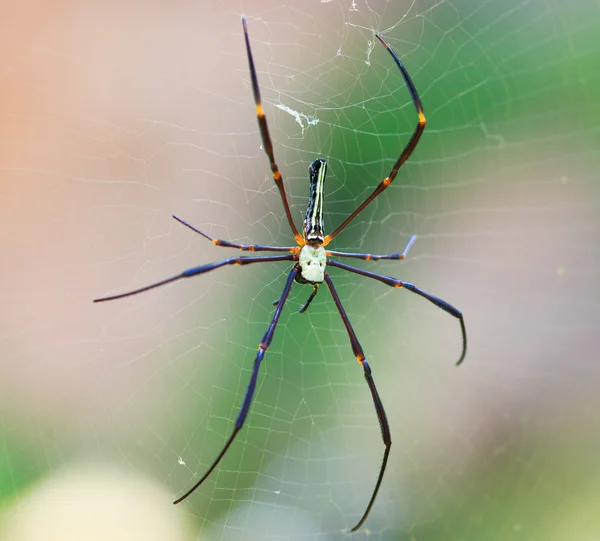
<point x="404" y="155"/>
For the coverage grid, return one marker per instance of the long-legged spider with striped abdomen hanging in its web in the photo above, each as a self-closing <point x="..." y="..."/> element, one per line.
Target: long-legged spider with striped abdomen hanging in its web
<point x="311" y="259"/>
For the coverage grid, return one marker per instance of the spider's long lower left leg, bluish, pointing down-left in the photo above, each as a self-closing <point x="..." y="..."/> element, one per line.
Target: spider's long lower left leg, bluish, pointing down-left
<point x="262" y="348"/>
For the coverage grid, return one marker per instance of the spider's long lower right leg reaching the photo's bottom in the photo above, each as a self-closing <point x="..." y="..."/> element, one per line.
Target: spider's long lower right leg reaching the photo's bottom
<point x="383" y="423"/>
